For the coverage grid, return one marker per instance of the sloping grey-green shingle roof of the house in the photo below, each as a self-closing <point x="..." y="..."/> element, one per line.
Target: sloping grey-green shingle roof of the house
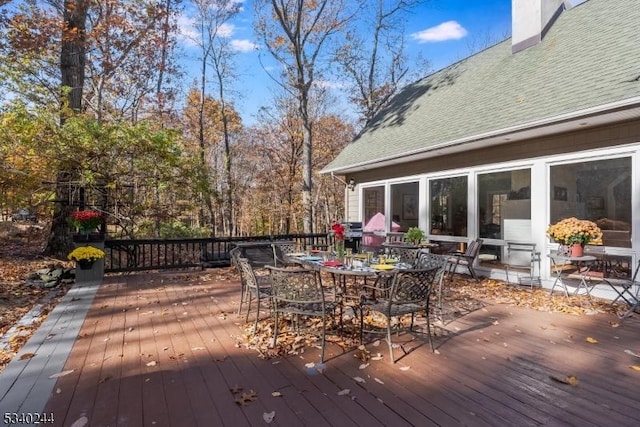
<point x="590" y="57"/>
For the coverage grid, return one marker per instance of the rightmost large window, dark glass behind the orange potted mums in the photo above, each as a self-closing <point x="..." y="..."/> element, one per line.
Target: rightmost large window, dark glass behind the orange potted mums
<point x="599" y="191"/>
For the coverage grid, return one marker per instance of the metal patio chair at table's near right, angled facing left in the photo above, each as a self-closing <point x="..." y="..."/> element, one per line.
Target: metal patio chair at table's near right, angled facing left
<point x="410" y="293"/>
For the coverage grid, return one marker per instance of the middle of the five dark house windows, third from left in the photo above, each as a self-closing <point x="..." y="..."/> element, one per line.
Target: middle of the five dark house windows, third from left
<point x="449" y="206"/>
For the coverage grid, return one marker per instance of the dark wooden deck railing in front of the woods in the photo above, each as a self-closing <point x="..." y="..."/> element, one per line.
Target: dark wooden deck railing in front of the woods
<point x="160" y="254"/>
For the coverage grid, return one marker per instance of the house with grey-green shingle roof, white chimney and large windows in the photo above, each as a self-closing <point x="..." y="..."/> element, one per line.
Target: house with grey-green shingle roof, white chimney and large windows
<point x="542" y="126"/>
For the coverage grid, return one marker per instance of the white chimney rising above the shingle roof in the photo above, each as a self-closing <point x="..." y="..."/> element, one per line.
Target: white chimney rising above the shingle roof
<point x="530" y="20"/>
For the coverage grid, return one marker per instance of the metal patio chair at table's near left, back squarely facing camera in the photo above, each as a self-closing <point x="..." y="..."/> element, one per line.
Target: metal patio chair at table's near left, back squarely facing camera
<point x="298" y="292"/>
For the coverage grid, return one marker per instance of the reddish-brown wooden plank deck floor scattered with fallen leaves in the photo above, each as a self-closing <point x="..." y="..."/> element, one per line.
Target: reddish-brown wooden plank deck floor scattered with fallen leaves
<point x="167" y="350"/>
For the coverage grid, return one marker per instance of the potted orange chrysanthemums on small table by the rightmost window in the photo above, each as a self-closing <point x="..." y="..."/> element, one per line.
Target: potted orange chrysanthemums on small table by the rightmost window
<point x="575" y="233"/>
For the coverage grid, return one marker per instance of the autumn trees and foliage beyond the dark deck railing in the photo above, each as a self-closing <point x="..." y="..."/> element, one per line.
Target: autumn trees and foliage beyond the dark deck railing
<point x="93" y="113"/>
